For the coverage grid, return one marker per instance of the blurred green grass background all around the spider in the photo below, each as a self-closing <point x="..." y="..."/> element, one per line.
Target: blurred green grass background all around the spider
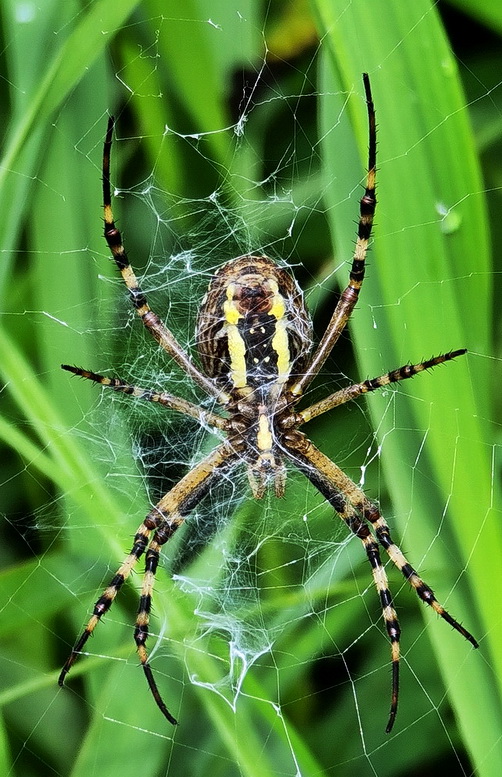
<point x="265" y="151"/>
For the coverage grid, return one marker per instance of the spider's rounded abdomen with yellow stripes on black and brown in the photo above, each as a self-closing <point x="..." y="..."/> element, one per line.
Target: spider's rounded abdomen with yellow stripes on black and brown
<point x="253" y="329"/>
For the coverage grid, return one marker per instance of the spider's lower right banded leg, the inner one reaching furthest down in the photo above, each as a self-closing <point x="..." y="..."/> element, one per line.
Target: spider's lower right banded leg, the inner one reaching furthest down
<point x="357" y="526"/>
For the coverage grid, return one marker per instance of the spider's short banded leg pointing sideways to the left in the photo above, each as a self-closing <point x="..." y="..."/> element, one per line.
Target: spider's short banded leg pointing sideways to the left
<point x="161" y="398"/>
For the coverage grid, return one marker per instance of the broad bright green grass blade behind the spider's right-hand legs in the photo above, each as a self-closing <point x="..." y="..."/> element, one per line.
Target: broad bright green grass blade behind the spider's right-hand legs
<point x="425" y="268"/>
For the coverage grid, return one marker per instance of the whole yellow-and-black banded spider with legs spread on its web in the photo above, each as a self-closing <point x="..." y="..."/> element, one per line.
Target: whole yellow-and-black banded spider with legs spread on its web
<point x="254" y="342"/>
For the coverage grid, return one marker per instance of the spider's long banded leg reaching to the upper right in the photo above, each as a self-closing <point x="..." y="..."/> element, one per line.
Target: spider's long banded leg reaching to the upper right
<point x="349" y="297"/>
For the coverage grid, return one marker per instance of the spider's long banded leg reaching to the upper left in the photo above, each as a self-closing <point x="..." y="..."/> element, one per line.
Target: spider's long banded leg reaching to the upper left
<point x="152" y="322"/>
